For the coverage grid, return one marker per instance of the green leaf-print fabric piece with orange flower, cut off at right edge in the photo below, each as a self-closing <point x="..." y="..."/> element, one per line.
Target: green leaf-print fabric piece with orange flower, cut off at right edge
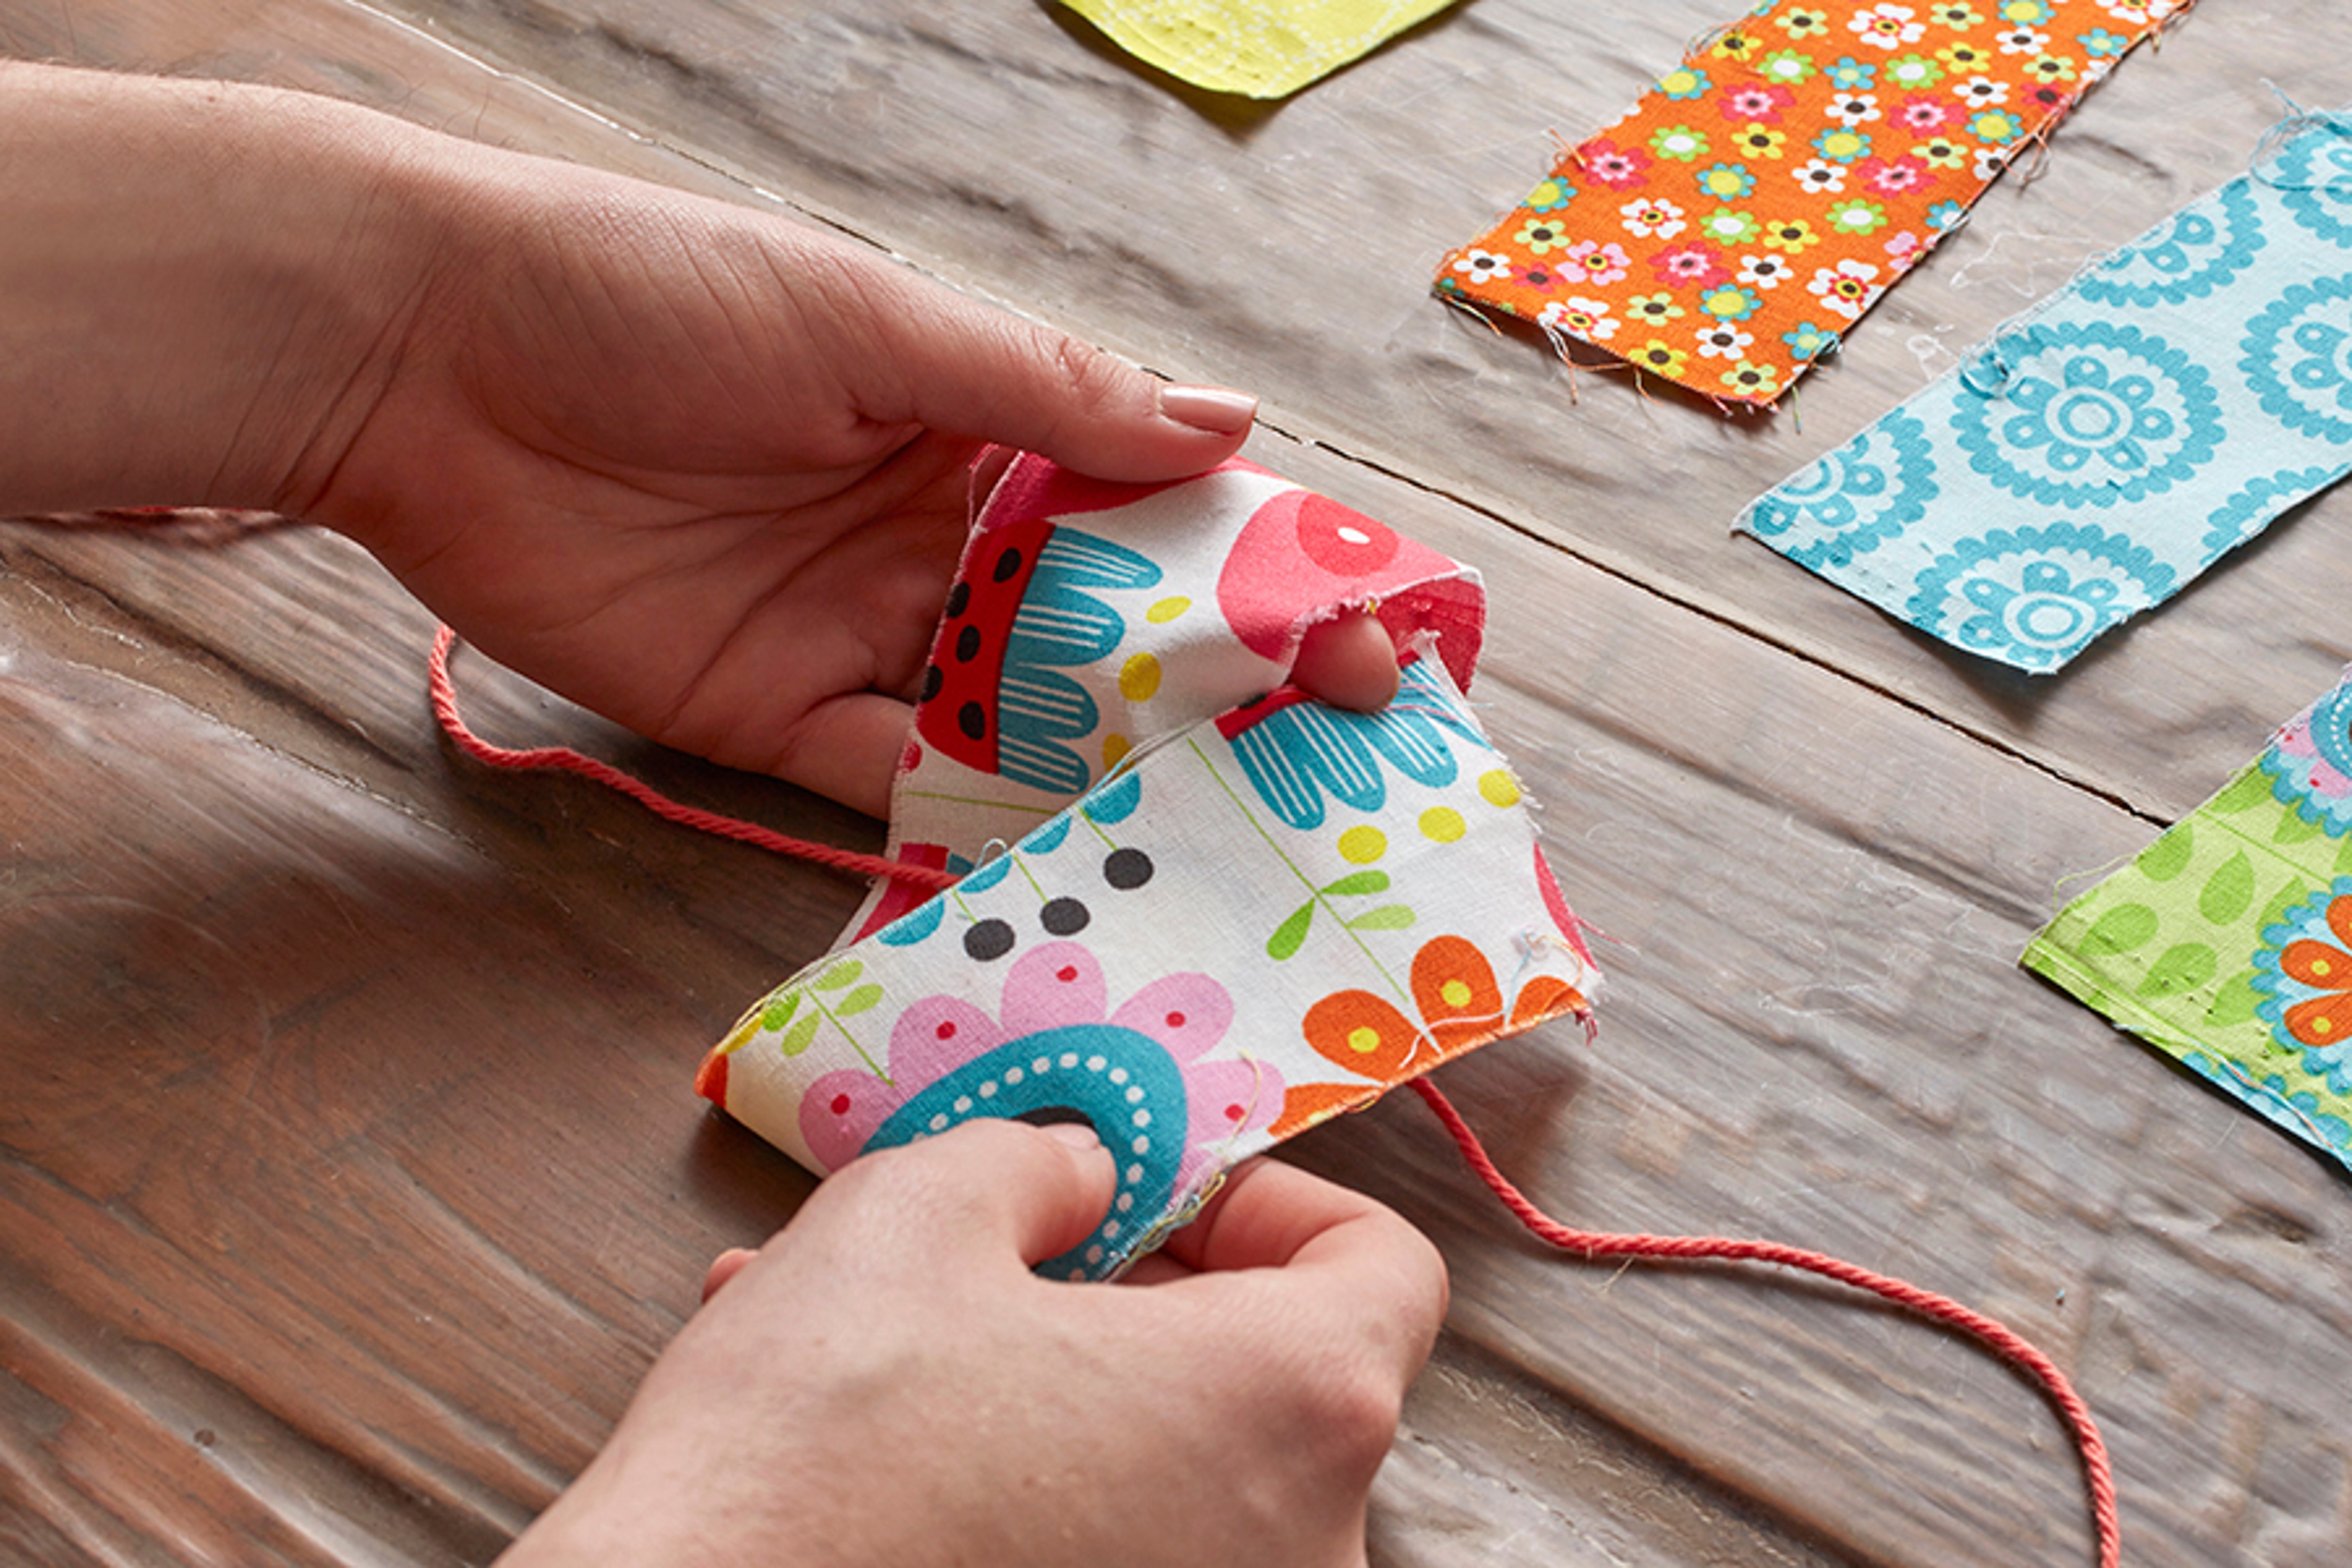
<point x="2229" y="942"/>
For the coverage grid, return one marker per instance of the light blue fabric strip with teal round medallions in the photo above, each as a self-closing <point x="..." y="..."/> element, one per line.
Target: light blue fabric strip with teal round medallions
<point x="2113" y="443"/>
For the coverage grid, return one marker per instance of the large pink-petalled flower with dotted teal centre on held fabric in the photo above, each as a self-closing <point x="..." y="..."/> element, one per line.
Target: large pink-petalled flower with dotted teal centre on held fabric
<point x="1055" y="1050"/>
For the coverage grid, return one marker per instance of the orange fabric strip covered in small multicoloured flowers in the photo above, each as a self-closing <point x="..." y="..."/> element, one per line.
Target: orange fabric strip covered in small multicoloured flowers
<point x="1760" y="199"/>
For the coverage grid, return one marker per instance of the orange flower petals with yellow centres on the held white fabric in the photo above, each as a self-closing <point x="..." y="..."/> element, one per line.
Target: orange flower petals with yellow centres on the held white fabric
<point x="1370" y="1038"/>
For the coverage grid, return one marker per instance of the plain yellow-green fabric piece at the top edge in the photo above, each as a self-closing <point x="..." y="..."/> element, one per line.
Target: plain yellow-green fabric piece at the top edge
<point x="1255" y="48"/>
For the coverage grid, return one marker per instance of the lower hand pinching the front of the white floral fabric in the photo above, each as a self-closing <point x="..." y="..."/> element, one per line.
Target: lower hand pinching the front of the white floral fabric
<point x="888" y="1383"/>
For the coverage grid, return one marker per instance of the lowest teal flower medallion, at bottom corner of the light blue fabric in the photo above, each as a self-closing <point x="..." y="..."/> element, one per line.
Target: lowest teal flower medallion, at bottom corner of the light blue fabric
<point x="2038" y="596"/>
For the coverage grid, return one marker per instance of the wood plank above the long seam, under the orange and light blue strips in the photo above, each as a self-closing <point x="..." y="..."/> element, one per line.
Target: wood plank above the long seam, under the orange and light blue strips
<point x="1290" y="250"/>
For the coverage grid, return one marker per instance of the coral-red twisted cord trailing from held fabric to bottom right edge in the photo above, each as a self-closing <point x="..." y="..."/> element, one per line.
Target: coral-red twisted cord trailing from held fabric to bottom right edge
<point x="1986" y="1332"/>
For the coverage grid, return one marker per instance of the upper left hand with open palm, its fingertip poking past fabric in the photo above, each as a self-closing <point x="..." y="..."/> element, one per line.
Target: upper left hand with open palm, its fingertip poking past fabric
<point x="695" y="467"/>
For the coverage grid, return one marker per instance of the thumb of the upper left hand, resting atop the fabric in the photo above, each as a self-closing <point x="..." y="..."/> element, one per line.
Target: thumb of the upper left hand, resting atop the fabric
<point x="914" y="351"/>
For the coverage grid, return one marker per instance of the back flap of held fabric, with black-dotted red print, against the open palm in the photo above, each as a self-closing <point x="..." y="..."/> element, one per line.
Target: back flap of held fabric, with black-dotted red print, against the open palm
<point x="1090" y="619"/>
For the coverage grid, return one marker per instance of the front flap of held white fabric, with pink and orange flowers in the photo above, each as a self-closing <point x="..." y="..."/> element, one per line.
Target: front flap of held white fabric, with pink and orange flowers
<point x="1259" y="925"/>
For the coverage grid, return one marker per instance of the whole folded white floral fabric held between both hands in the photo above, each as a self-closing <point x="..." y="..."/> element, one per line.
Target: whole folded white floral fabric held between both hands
<point x="1194" y="906"/>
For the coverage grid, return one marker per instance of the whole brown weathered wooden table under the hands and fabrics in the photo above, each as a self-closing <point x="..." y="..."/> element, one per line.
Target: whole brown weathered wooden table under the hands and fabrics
<point x="352" y="1172"/>
